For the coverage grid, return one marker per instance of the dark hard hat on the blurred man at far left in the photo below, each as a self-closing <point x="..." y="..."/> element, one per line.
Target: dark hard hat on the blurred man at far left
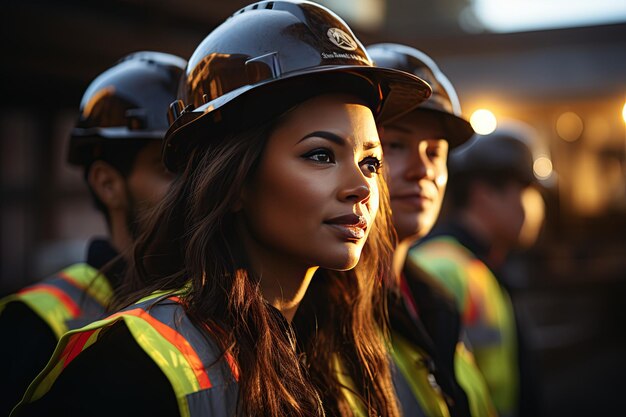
<point x="127" y="102"/>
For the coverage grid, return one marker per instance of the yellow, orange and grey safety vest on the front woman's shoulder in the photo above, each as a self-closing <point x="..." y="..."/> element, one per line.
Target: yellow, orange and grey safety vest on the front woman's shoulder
<point x="204" y="381"/>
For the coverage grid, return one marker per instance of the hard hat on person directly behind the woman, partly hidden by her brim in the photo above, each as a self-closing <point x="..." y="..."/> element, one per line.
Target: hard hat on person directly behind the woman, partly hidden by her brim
<point x="444" y="102"/>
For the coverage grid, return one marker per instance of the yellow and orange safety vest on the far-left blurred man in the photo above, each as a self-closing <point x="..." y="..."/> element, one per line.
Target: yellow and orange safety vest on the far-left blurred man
<point x="68" y="300"/>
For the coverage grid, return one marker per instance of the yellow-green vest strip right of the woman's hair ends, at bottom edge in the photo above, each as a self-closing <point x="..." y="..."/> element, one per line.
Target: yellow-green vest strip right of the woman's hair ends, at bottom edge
<point x="416" y="387"/>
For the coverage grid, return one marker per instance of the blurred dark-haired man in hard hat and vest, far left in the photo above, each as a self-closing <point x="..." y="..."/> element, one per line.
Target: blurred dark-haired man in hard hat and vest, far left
<point x="117" y="142"/>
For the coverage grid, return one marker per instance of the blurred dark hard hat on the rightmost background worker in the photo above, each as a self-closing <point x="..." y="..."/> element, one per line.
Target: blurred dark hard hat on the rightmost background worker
<point x="505" y="153"/>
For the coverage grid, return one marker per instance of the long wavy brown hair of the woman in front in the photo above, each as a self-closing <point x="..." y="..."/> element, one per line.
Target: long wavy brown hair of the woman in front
<point x="191" y="239"/>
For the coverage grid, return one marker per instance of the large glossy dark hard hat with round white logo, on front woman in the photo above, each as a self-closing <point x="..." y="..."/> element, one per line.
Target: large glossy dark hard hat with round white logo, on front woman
<point x="268" y="57"/>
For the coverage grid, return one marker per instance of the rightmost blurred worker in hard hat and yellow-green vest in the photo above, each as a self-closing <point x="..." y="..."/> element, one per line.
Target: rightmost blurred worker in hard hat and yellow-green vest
<point x="489" y="177"/>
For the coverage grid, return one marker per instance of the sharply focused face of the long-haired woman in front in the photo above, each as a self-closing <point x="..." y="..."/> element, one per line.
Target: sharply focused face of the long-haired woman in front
<point x="314" y="196"/>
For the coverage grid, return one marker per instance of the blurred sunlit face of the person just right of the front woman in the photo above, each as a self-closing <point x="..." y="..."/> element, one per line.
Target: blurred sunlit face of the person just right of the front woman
<point x="416" y="152"/>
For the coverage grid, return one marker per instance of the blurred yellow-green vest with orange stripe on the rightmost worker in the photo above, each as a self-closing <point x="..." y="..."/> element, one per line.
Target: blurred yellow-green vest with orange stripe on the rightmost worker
<point x="487" y="314"/>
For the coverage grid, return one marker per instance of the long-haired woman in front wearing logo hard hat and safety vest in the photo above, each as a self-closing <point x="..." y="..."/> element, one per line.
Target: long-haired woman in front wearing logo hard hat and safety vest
<point x="275" y="142"/>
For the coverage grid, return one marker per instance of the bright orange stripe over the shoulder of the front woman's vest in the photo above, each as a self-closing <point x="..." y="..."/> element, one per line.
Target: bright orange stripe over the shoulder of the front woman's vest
<point x="177" y="340"/>
